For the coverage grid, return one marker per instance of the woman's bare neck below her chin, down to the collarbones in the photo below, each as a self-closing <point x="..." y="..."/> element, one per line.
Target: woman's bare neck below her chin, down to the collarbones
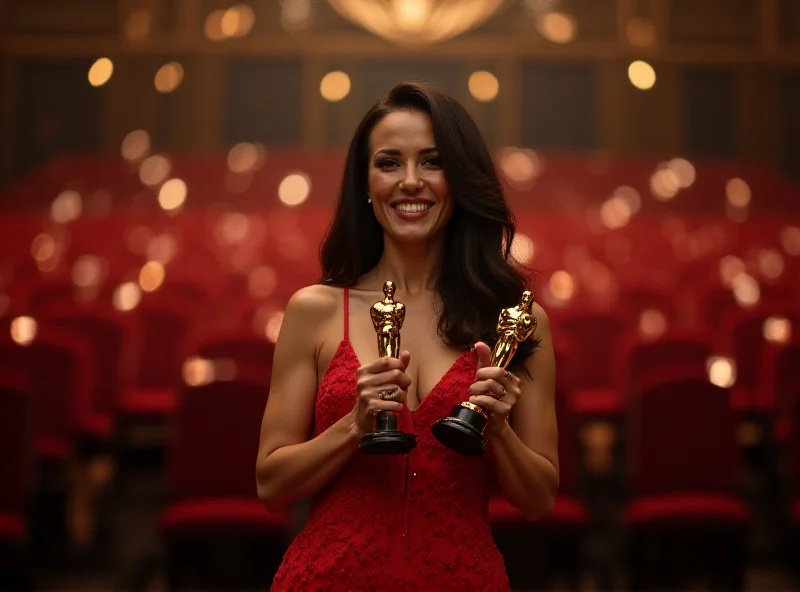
<point x="412" y="267"/>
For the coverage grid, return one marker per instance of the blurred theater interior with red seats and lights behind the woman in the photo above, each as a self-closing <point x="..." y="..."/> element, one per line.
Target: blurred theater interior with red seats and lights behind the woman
<point x="169" y="167"/>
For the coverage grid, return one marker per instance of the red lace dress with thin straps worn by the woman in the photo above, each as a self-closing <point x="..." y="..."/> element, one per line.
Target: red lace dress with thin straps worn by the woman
<point x="413" y="522"/>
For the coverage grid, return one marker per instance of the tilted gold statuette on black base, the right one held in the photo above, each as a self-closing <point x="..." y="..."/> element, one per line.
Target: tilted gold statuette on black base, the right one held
<point x="463" y="430"/>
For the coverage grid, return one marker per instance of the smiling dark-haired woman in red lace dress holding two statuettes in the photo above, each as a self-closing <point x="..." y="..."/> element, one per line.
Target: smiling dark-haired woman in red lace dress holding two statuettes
<point x="421" y="205"/>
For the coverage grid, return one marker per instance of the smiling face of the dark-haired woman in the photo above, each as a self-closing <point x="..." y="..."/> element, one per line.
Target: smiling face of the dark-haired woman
<point x="409" y="193"/>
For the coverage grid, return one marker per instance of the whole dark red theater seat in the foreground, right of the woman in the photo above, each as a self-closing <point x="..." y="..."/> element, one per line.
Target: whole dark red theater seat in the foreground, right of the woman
<point x="684" y="468"/>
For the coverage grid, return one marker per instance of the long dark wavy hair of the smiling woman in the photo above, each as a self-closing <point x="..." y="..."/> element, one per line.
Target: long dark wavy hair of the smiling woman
<point x="478" y="279"/>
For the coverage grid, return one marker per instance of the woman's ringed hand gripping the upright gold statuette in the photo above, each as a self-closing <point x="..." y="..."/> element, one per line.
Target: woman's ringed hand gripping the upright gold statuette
<point x="384" y="375"/>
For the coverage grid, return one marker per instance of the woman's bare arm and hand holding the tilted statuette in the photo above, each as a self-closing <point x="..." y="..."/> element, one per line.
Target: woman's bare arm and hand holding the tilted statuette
<point x="526" y="457"/>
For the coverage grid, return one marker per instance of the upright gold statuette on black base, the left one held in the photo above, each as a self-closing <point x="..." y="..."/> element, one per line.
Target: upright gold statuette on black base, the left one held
<point x="387" y="318"/>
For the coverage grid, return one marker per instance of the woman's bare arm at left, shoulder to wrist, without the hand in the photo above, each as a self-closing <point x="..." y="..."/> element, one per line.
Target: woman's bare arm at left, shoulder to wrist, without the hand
<point x="289" y="467"/>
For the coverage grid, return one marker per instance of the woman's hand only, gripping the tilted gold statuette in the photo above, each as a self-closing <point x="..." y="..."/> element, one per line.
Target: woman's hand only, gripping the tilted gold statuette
<point x="495" y="389"/>
